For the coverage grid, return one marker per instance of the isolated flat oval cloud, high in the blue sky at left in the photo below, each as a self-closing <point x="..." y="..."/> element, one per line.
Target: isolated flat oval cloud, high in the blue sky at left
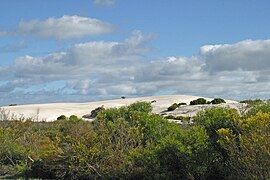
<point x="65" y="27"/>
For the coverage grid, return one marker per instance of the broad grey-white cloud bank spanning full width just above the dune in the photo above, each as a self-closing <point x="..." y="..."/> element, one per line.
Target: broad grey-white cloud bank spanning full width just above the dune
<point x="109" y="69"/>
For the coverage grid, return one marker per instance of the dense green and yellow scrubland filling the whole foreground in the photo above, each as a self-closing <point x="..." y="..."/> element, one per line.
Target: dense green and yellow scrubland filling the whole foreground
<point x="133" y="143"/>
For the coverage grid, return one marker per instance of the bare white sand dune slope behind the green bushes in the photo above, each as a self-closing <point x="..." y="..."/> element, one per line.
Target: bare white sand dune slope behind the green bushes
<point x="50" y="112"/>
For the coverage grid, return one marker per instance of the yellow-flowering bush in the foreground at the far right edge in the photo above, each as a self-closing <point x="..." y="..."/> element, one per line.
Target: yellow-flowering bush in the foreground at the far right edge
<point x="249" y="150"/>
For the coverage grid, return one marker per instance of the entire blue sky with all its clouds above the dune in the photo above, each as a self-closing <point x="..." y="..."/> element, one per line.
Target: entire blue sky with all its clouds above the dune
<point x="90" y="50"/>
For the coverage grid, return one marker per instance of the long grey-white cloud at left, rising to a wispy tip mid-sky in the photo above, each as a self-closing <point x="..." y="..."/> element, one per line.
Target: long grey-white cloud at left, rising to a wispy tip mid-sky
<point x="82" y="59"/>
